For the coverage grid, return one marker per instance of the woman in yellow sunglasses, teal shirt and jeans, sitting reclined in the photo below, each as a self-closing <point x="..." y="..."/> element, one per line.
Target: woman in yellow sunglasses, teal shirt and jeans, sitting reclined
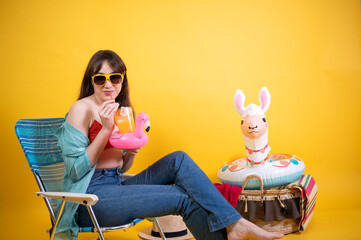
<point x="174" y="185"/>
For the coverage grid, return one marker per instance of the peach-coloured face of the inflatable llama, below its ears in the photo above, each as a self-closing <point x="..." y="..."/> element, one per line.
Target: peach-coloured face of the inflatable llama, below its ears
<point x="254" y="126"/>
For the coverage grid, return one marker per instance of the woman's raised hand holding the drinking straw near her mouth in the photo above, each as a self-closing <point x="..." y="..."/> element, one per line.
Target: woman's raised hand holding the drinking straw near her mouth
<point x="106" y="113"/>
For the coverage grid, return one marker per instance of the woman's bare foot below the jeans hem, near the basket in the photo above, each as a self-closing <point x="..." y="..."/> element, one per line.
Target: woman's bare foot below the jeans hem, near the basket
<point x="243" y="229"/>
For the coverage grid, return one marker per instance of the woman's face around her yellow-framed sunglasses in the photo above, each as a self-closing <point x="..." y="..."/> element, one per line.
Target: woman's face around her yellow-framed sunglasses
<point x="107" y="91"/>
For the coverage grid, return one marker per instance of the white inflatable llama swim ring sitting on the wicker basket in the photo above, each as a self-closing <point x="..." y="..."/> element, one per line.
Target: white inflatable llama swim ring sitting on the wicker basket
<point x="273" y="169"/>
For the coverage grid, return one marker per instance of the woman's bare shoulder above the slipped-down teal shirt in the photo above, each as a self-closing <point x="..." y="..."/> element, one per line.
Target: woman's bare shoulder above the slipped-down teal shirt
<point x="80" y="115"/>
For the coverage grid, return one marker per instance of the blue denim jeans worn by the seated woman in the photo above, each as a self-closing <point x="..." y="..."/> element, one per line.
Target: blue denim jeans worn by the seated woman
<point x="174" y="185"/>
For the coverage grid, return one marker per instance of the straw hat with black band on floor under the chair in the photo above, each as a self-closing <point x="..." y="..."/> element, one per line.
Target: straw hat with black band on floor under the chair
<point x="173" y="227"/>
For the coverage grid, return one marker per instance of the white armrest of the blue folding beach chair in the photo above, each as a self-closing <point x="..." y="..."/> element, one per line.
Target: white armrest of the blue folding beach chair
<point x="81" y="198"/>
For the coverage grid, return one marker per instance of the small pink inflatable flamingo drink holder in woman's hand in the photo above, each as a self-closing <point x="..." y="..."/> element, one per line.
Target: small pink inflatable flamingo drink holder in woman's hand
<point x="135" y="139"/>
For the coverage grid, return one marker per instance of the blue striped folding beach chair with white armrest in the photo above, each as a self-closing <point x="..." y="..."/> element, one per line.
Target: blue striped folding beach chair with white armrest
<point x="39" y="144"/>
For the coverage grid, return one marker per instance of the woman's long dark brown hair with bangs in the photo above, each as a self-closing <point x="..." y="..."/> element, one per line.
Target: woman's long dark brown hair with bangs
<point x="94" y="65"/>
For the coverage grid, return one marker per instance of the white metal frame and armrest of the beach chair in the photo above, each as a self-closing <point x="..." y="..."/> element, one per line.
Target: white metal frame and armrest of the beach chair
<point x="85" y="199"/>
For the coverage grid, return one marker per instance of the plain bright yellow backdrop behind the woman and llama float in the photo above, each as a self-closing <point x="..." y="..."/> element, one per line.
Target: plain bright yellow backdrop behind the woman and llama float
<point x="185" y="60"/>
